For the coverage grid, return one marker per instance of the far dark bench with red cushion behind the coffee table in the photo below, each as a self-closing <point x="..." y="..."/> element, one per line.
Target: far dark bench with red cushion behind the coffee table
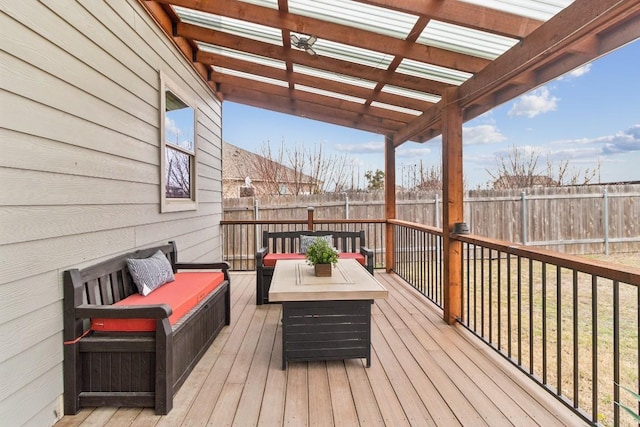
<point x="278" y="245"/>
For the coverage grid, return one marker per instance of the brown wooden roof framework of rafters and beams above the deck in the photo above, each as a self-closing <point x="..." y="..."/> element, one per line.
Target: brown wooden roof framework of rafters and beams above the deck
<point x="581" y="32"/>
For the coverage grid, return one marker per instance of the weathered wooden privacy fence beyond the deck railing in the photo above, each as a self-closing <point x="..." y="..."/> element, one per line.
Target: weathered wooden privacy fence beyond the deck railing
<point x="577" y="220"/>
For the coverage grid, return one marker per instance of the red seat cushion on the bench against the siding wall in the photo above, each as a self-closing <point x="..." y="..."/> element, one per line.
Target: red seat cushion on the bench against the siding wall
<point x="181" y="295"/>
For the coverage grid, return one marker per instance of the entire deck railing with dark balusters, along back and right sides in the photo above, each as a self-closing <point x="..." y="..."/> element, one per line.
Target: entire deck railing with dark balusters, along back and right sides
<point x="570" y="323"/>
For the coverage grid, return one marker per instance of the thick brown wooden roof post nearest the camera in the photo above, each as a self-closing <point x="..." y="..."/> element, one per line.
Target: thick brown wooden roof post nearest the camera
<point x="452" y="204"/>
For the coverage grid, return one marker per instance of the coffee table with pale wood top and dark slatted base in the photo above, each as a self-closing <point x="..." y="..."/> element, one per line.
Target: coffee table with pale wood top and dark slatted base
<point x="325" y="318"/>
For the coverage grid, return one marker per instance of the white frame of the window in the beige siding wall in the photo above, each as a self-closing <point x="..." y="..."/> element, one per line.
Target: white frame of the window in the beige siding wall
<point x="169" y="204"/>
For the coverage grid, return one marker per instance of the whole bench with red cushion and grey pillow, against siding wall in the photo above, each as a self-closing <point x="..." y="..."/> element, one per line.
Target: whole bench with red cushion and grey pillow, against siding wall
<point x="136" y="325"/>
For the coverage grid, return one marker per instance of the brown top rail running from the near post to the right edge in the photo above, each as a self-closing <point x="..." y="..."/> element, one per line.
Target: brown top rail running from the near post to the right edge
<point x="622" y="273"/>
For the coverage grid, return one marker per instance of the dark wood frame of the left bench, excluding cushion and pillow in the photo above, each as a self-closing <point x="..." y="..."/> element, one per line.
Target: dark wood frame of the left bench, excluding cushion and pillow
<point x="139" y="369"/>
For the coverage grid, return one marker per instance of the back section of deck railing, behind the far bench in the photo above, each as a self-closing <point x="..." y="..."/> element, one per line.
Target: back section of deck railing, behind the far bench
<point x="241" y="239"/>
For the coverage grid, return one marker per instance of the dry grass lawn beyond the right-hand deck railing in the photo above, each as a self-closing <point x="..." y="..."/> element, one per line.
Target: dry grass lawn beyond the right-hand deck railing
<point x="558" y="325"/>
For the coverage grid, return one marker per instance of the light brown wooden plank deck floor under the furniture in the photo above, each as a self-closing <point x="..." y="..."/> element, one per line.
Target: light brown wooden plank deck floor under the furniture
<point x="423" y="373"/>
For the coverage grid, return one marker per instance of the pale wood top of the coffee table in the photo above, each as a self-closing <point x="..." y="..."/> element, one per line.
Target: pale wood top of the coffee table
<point x="295" y="280"/>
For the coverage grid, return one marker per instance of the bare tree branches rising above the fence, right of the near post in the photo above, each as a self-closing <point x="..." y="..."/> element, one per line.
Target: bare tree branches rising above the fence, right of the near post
<point x="519" y="168"/>
